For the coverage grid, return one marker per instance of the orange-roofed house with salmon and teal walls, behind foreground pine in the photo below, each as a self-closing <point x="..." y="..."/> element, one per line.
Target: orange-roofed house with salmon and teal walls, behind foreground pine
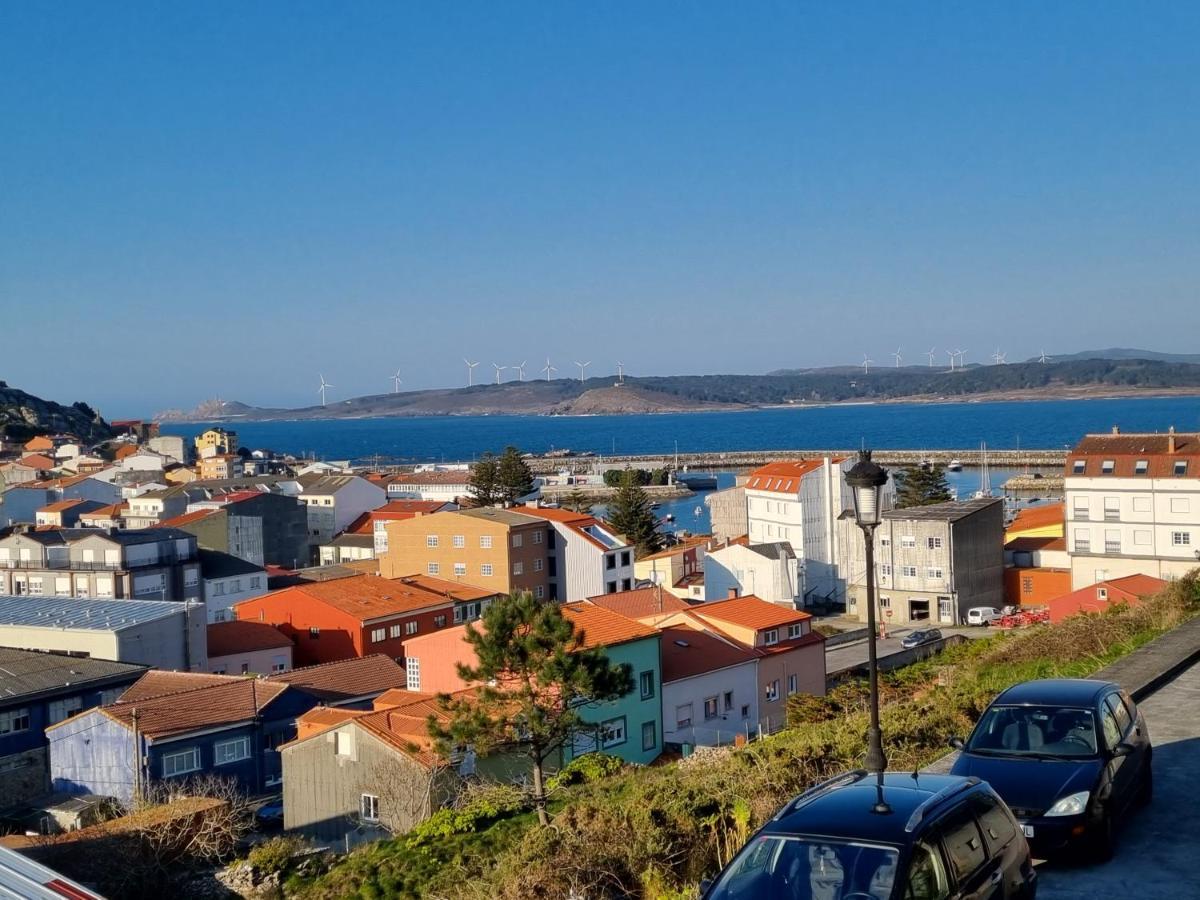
<point x="629" y="728"/>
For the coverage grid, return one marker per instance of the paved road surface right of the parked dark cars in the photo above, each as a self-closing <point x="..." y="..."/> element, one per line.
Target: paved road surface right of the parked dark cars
<point x="1159" y="854"/>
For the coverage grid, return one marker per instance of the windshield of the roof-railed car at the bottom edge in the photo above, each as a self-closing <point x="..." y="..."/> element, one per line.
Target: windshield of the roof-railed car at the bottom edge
<point x="808" y="869"/>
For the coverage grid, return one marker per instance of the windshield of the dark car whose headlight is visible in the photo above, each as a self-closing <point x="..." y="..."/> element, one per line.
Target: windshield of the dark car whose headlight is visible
<point x="1057" y="733"/>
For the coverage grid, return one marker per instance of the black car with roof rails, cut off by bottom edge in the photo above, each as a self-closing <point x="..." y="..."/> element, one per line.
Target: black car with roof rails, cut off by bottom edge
<point x="863" y="837"/>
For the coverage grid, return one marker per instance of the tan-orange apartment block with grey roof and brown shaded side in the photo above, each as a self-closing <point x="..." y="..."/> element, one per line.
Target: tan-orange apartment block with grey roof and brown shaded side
<point x="494" y="549"/>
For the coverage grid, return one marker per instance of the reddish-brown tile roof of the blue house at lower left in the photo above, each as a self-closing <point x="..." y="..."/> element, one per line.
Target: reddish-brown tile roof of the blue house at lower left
<point x="226" y="703"/>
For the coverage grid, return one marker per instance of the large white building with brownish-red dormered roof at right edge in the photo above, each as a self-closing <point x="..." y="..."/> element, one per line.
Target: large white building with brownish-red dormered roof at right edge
<point x="1133" y="507"/>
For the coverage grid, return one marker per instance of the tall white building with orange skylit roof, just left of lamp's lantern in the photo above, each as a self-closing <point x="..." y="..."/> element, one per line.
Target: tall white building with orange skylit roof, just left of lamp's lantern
<point x="800" y="503"/>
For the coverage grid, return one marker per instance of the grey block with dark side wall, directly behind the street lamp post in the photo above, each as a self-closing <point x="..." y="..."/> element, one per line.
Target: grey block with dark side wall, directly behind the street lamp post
<point x="933" y="563"/>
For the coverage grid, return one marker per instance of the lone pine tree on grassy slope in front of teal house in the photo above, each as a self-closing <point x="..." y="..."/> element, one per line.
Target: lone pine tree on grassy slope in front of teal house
<point x="530" y="659"/>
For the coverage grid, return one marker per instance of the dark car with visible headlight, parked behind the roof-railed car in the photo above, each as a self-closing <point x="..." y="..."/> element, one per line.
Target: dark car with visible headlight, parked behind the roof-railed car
<point x="1071" y="758"/>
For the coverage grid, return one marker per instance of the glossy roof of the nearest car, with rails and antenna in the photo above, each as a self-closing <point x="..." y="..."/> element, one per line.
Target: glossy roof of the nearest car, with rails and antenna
<point x="844" y="807"/>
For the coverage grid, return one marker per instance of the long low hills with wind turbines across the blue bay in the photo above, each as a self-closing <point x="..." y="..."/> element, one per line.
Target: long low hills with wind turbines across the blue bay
<point x="1071" y="379"/>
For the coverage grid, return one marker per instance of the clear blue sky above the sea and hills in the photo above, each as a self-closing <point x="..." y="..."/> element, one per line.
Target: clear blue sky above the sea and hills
<point x="229" y="199"/>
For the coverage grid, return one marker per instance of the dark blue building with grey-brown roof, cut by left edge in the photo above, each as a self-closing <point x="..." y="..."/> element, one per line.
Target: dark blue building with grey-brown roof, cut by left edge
<point x="39" y="689"/>
